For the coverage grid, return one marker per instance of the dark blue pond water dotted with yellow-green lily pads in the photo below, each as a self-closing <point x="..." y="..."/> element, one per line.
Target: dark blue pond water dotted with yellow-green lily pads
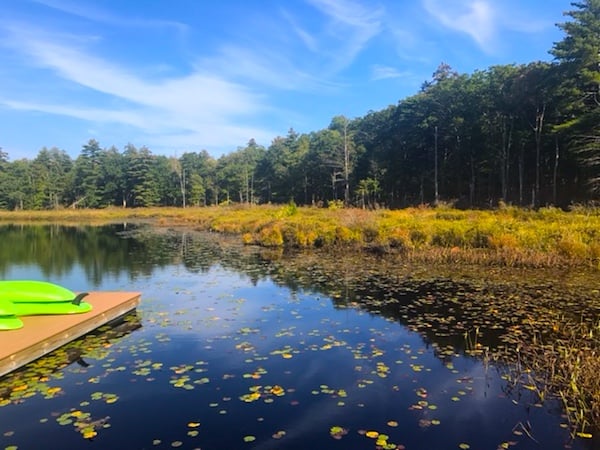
<point x="236" y="348"/>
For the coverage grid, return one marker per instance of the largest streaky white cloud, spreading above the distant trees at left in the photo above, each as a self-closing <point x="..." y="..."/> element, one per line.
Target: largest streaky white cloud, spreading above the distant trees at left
<point x="198" y="107"/>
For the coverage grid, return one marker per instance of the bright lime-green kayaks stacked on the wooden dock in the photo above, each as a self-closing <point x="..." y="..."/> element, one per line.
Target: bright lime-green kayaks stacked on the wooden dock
<point x="29" y="297"/>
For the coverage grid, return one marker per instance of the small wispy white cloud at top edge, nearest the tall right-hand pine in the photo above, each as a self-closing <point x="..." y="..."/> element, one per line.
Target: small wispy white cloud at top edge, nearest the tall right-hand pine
<point x="477" y="18"/>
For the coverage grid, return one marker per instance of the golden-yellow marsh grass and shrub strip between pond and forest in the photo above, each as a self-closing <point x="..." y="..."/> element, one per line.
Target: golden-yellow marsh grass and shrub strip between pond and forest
<point x="508" y="236"/>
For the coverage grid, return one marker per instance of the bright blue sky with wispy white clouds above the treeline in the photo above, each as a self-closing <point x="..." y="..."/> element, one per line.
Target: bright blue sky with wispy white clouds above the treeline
<point x="187" y="75"/>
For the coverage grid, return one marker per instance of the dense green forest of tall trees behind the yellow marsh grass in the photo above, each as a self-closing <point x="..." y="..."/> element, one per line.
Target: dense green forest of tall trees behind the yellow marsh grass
<point x="520" y="134"/>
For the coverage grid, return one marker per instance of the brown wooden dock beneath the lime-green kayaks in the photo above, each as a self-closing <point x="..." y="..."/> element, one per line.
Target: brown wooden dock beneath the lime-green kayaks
<point x="42" y="334"/>
